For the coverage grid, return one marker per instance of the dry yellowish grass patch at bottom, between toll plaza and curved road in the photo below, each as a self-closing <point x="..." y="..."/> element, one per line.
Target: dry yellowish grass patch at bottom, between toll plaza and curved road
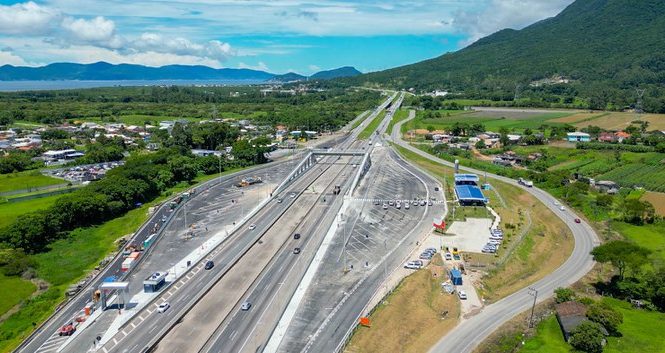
<point x="409" y="320"/>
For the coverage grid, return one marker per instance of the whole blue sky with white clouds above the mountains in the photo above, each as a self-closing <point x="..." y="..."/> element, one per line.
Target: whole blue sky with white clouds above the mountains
<point x="278" y="36"/>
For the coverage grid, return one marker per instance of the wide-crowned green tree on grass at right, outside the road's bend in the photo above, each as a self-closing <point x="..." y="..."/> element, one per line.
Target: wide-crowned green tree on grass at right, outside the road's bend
<point x="621" y="254"/>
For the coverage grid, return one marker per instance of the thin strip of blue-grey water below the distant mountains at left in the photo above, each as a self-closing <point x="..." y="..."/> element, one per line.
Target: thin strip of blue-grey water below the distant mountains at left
<point x="14" y="86"/>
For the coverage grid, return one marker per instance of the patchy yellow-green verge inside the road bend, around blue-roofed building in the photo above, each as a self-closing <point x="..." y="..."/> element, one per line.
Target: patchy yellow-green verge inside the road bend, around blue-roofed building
<point x="533" y="259"/>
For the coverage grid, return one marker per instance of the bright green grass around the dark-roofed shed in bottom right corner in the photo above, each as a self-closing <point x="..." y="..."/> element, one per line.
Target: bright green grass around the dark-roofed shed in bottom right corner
<point x="641" y="330"/>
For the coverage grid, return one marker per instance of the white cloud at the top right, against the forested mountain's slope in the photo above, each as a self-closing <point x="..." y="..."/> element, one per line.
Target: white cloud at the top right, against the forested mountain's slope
<point x="501" y="14"/>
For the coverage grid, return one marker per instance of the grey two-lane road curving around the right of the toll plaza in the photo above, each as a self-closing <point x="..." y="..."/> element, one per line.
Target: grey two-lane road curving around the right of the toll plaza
<point x="466" y="336"/>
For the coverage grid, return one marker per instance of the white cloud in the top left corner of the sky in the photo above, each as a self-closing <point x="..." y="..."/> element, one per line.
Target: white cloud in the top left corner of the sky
<point x="27" y="18"/>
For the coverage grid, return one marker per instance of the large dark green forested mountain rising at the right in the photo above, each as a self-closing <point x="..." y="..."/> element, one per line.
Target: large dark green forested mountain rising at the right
<point x="606" y="48"/>
